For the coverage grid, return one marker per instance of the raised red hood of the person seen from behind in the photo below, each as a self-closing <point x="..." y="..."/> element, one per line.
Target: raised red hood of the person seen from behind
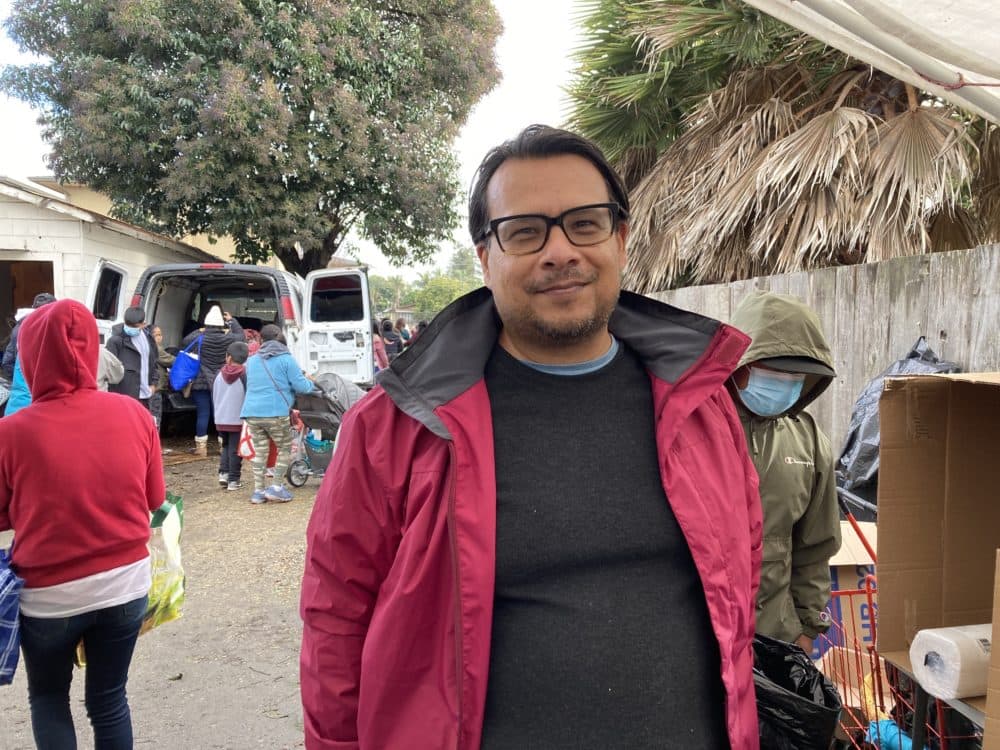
<point x="58" y="348"/>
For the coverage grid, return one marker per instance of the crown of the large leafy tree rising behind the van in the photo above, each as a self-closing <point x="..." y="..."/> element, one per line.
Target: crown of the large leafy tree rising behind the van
<point x="283" y="124"/>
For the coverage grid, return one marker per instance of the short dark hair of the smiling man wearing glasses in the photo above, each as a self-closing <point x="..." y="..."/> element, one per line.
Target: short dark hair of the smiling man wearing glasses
<point x="537" y="142"/>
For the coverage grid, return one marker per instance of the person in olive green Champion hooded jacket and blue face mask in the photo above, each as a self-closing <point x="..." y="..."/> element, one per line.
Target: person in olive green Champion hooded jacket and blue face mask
<point x="788" y="366"/>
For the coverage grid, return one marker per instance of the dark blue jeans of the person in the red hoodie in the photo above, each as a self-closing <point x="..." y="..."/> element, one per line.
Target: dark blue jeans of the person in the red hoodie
<point x="48" y="645"/>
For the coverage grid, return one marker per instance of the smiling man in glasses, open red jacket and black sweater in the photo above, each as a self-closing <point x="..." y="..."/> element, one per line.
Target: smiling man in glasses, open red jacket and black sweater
<point x="542" y="528"/>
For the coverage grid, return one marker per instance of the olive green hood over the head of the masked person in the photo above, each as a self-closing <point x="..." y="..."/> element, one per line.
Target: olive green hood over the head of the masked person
<point x="783" y="327"/>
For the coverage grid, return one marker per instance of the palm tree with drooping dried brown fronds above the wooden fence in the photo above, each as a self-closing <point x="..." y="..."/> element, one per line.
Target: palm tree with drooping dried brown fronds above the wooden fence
<point x="773" y="152"/>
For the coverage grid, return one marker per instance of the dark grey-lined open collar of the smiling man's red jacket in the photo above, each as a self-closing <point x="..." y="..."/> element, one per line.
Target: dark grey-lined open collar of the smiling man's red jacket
<point x="451" y="354"/>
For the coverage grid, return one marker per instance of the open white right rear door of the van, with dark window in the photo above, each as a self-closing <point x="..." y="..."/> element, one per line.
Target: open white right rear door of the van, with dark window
<point x="336" y="324"/>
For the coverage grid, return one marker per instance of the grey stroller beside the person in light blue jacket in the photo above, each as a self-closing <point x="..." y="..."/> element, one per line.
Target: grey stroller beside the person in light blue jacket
<point x="322" y="410"/>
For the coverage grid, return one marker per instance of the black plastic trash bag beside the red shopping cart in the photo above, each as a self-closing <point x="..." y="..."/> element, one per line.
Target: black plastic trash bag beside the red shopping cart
<point x="797" y="706"/>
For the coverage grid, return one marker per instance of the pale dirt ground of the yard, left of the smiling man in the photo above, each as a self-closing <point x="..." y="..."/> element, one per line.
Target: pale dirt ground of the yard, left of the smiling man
<point x="225" y="675"/>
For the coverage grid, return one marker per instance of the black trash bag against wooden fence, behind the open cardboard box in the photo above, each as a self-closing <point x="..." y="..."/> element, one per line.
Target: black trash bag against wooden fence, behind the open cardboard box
<point x="857" y="467"/>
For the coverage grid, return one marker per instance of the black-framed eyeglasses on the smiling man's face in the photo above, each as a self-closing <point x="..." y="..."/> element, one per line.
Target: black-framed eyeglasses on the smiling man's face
<point x="585" y="225"/>
